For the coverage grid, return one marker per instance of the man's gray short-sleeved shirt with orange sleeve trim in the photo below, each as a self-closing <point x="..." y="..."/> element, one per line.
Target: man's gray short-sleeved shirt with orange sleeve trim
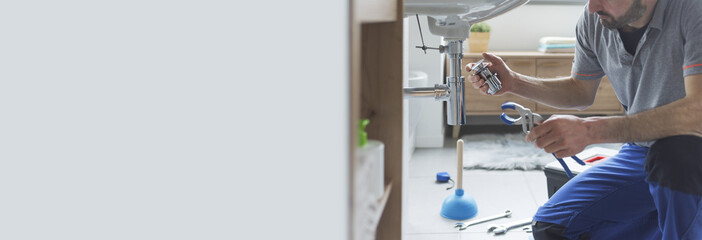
<point x="670" y="49"/>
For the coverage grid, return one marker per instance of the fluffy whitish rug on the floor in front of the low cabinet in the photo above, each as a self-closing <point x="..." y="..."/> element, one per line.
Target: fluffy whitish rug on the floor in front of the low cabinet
<point x="507" y="152"/>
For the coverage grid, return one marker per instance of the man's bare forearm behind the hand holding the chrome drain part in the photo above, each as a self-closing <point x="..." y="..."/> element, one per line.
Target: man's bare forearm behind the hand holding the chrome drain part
<point x="563" y="93"/>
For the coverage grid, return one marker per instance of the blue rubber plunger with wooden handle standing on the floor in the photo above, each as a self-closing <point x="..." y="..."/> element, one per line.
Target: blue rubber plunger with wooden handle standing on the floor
<point x="459" y="205"/>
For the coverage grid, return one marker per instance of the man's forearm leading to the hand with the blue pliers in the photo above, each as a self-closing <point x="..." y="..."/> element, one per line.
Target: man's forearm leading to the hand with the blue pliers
<point x="681" y="117"/>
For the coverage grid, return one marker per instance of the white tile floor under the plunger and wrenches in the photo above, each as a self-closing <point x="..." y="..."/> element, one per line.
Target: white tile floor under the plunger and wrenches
<point x="494" y="191"/>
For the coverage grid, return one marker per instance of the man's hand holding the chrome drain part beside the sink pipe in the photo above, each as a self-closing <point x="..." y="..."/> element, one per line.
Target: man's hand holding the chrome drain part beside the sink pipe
<point x="498" y="66"/>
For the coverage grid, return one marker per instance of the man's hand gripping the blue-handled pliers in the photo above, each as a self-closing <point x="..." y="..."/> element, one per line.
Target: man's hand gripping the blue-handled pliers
<point x="564" y="135"/>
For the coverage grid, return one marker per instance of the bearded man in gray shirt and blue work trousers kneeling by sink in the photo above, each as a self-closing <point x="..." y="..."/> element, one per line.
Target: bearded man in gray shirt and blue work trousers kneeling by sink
<point x="651" y="51"/>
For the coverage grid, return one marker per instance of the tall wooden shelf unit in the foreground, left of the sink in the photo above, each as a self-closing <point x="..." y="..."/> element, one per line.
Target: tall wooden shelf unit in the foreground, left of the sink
<point x="376" y="94"/>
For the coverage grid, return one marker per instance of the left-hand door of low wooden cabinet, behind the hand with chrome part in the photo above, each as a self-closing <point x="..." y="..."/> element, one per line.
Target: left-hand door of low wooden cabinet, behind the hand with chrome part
<point x="480" y="104"/>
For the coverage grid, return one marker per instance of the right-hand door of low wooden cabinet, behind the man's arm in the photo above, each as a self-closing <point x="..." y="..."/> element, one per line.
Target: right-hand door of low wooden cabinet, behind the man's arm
<point x="606" y="101"/>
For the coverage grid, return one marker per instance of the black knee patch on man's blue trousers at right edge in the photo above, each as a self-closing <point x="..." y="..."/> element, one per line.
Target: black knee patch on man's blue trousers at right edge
<point x="676" y="163"/>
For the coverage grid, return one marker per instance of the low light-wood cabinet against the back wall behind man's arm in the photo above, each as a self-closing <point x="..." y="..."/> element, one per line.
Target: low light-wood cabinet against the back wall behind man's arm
<point x="543" y="66"/>
